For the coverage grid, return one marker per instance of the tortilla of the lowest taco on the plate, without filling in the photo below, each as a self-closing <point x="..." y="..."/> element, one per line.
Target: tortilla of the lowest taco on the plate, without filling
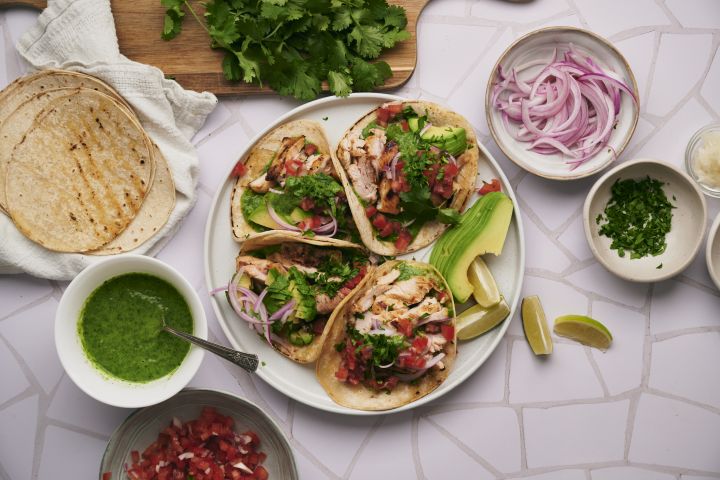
<point x="361" y="397"/>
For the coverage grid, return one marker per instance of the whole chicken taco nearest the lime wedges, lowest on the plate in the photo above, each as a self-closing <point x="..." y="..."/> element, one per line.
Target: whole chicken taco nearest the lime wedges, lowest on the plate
<point x="393" y="341"/>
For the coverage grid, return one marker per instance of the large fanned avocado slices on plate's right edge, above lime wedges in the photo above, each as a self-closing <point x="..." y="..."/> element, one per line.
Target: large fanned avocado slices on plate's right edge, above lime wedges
<point x="482" y="229"/>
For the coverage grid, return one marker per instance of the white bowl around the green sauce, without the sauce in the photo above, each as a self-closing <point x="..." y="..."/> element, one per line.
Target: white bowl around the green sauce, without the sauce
<point x="192" y="360"/>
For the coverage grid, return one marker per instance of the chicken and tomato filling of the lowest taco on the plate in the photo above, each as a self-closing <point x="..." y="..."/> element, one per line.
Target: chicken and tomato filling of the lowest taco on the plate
<point x="399" y="330"/>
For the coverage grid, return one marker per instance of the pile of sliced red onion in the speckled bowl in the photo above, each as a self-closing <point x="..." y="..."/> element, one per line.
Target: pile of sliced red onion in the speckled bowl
<point x="570" y="107"/>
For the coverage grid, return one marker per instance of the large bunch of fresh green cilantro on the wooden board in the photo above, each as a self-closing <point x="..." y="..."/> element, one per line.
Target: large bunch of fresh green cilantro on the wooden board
<point x="295" y="45"/>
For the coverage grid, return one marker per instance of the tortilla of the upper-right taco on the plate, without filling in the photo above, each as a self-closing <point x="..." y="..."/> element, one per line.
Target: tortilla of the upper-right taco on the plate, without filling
<point x="463" y="185"/>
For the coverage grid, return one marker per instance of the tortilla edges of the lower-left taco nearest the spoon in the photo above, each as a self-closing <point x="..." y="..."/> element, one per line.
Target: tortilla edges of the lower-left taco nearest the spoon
<point x="307" y="353"/>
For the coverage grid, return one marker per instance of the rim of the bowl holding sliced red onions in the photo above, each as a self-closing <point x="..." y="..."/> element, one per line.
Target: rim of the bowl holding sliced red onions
<point x="528" y="167"/>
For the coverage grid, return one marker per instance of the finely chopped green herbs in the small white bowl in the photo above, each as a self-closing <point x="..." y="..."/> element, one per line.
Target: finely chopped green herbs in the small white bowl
<point x="637" y="218"/>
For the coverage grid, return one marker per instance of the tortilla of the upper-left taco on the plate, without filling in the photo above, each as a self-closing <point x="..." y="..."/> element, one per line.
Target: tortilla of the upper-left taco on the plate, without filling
<point x="260" y="156"/>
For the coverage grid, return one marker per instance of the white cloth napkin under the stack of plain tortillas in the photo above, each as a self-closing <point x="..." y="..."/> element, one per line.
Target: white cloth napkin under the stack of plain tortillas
<point x="80" y="35"/>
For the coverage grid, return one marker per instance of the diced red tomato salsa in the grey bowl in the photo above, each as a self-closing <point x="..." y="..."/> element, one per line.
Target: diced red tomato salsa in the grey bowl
<point x="206" y="449"/>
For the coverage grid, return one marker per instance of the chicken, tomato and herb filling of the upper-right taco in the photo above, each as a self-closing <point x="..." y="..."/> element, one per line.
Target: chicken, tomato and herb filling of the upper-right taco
<point x="404" y="170"/>
